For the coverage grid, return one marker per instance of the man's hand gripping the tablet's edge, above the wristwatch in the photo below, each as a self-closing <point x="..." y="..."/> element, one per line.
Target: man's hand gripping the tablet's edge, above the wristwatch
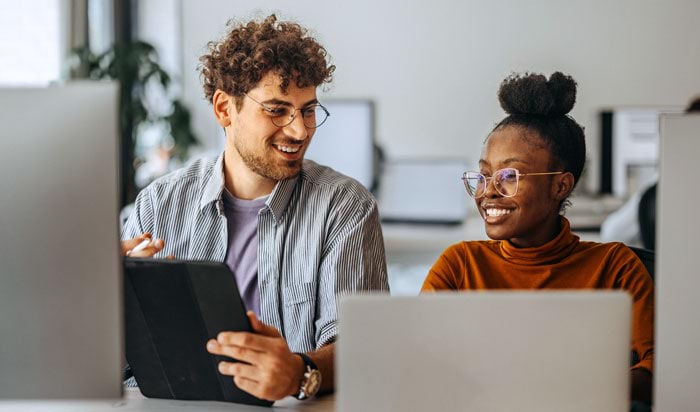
<point x="268" y="369"/>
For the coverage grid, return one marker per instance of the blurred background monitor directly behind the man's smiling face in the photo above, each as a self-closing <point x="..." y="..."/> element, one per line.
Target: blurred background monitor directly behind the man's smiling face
<point x="345" y="141"/>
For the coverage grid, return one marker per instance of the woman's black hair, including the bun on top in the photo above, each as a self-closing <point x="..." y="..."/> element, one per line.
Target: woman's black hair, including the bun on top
<point x="541" y="106"/>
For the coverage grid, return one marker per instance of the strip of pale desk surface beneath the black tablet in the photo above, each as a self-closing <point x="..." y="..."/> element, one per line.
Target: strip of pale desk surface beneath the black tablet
<point x="133" y="401"/>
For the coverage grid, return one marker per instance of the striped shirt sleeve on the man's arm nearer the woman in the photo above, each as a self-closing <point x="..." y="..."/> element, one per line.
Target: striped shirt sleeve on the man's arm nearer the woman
<point x="353" y="261"/>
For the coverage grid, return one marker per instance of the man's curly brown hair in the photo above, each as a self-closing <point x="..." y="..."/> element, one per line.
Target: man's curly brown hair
<point x="249" y="51"/>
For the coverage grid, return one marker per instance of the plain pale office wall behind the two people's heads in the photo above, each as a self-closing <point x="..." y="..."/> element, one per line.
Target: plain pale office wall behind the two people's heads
<point x="434" y="67"/>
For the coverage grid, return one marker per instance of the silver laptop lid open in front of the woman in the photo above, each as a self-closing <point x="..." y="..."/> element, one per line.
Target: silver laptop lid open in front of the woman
<point x="485" y="351"/>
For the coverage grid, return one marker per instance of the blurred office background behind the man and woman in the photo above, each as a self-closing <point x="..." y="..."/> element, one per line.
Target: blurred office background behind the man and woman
<point x="415" y="83"/>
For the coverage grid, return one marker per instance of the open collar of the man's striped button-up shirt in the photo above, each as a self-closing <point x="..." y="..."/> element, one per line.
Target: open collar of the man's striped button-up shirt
<point x="277" y="202"/>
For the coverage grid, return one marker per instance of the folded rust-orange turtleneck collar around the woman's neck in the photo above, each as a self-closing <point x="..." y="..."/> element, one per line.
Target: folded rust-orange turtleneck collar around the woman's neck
<point x="554" y="250"/>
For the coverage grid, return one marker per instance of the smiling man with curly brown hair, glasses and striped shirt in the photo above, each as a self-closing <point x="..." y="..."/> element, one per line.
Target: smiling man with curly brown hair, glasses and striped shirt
<point x="295" y="234"/>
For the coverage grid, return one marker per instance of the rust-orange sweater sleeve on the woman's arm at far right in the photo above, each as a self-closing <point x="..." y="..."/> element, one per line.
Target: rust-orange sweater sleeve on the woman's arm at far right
<point x="633" y="277"/>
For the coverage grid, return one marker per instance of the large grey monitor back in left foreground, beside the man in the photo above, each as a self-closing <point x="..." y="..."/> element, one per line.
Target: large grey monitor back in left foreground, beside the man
<point x="60" y="284"/>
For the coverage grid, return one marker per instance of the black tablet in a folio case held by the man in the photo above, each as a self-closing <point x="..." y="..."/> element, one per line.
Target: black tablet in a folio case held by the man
<point x="172" y="309"/>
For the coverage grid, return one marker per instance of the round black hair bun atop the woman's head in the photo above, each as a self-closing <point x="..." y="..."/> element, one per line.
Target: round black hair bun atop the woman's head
<point x="533" y="94"/>
